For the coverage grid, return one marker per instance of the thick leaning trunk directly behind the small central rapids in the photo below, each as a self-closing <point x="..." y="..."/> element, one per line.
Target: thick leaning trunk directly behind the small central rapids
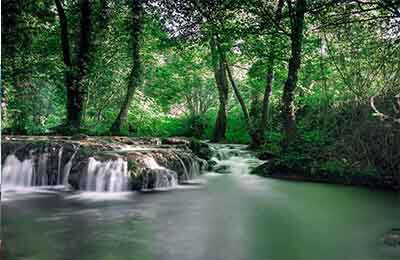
<point x="218" y="58"/>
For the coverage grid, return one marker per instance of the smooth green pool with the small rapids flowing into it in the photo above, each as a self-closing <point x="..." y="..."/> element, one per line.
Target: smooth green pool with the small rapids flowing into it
<point x="222" y="217"/>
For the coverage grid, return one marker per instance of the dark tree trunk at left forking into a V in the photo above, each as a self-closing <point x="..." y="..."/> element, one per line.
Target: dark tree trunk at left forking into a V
<point x="75" y="73"/>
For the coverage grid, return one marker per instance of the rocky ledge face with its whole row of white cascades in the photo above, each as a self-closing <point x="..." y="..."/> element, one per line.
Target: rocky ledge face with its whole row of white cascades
<point x="57" y="165"/>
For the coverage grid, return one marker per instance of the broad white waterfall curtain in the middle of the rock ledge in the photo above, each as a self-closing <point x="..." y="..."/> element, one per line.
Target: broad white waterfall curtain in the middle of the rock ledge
<point x="109" y="176"/>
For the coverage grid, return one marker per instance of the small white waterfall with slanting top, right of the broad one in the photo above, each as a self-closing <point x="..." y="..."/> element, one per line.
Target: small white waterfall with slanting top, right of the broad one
<point x="156" y="176"/>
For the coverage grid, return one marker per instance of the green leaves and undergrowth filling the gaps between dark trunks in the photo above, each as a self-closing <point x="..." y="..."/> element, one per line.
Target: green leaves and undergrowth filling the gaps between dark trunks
<point x="346" y="58"/>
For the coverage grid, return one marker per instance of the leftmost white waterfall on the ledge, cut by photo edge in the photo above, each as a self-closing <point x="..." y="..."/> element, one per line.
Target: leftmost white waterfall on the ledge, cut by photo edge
<point x="17" y="173"/>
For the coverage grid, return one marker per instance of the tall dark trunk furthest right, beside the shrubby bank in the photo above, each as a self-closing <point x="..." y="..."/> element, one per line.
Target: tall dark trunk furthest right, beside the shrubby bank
<point x="288" y="111"/>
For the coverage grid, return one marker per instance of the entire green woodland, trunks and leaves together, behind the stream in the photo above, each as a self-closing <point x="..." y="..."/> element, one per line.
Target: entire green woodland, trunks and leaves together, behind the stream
<point x="316" y="82"/>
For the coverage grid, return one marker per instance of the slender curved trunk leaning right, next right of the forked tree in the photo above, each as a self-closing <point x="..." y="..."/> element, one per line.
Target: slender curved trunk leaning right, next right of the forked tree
<point x="136" y="71"/>
